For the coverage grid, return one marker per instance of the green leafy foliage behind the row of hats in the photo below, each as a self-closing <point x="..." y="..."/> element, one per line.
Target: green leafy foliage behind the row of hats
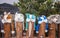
<point x="37" y="7"/>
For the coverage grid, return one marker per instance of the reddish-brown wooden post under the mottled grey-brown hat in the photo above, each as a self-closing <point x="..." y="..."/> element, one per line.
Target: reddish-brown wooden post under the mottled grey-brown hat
<point x="52" y="30"/>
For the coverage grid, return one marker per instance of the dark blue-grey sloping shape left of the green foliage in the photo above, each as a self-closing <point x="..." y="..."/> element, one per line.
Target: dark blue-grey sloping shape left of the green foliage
<point x="8" y="7"/>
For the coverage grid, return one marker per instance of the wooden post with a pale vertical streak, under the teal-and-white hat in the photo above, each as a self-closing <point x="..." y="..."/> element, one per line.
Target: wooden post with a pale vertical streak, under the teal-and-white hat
<point x="30" y="31"/>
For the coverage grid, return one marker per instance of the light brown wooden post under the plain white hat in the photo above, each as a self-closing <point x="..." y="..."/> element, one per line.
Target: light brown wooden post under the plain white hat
<point x="19" y="28"/>
